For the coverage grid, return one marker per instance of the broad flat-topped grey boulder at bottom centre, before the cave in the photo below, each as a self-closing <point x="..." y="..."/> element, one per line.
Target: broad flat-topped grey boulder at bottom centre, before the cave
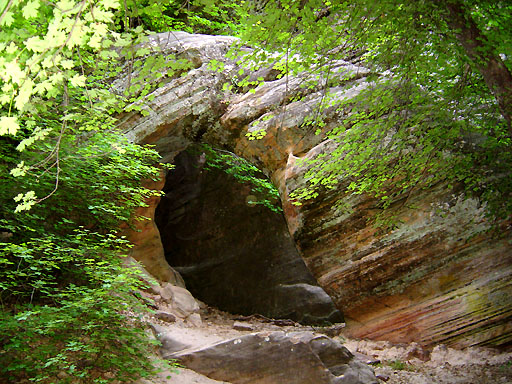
<point x="276" y="358"/>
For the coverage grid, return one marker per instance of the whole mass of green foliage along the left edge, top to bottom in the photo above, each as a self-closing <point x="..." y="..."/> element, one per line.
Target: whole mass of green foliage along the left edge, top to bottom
<point x="68" y="313"/>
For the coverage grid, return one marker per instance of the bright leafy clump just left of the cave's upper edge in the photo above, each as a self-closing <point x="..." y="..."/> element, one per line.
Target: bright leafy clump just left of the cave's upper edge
<point x="97" y="185"/>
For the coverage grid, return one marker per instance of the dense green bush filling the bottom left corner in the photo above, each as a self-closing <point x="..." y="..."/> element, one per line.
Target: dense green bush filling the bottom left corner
<point x="72" y="316"/>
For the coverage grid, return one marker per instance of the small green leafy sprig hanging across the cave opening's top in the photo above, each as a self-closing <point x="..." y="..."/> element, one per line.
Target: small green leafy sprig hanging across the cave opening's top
<point x="244" y="172"/>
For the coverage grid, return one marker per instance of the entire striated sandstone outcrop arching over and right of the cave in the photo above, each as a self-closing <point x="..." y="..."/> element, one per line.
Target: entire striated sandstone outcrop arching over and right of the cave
<point x="435" y="278"/>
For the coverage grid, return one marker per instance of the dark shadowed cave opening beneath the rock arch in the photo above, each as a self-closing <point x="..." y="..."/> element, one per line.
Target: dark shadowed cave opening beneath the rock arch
<point x="233" y="254"/>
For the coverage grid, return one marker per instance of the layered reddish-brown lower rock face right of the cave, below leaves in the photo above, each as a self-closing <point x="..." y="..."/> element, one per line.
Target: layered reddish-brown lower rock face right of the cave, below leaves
<point x="427" y="281"/>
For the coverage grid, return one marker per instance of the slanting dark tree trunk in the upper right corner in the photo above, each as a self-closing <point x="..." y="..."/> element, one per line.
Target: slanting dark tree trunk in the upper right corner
<point x="496" y="75"/>
